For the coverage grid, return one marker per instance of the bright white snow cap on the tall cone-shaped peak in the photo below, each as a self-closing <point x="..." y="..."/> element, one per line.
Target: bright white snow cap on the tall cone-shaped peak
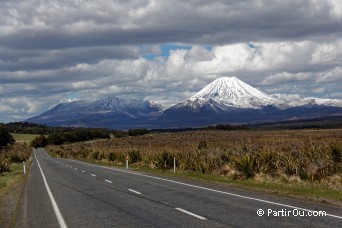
<point x="230" y="92"/>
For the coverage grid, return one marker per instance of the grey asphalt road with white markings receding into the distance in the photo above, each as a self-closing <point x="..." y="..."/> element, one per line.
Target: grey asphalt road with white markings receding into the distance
<point x="68" y="193"/>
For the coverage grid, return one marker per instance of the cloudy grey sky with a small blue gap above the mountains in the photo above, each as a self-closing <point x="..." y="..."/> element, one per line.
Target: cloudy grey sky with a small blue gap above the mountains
<point x="52" y="51"/>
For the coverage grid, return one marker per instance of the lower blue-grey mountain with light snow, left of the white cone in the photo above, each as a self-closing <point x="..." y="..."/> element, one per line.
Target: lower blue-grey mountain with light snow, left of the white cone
<point x="108" y="112"/>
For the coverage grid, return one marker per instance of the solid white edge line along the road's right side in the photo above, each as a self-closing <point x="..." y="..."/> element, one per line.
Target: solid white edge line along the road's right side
<point x="207" y="189"/>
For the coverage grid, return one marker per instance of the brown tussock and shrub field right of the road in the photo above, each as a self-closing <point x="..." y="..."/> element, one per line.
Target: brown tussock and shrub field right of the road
<point x="304" y="163"/>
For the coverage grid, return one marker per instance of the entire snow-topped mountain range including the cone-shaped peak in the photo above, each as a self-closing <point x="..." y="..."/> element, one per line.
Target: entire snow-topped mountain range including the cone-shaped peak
<point x="225" y="100"/>
